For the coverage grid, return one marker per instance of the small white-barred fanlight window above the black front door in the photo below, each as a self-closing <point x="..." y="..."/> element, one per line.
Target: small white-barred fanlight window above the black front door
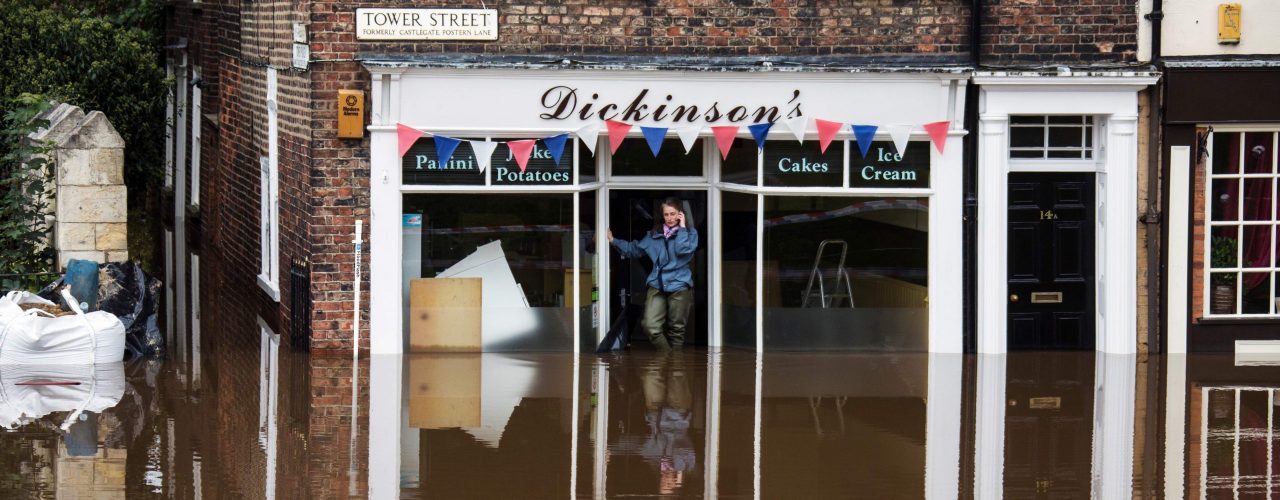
<point x="1052" y="137"/>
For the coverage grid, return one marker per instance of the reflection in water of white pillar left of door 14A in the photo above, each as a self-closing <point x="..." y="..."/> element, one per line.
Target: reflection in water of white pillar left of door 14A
<point x="989" y="480"/>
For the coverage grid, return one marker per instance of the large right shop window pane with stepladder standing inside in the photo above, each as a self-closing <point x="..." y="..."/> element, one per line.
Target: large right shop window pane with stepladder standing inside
<point x="845" y="273"/>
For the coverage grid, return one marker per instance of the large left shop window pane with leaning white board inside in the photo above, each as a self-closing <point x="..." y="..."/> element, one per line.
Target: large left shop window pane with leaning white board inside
<point x="520" y="247"/>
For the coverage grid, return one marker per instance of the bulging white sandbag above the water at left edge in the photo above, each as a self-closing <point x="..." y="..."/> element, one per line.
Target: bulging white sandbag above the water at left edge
<point x="34" y="338"/>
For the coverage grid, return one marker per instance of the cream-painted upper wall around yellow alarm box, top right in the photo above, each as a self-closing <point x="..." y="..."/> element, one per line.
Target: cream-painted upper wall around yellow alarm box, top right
<point x="1191" y="29"/>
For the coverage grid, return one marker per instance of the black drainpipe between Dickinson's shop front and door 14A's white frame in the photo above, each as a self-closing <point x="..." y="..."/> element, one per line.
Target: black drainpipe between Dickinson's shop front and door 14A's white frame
<point x="971" y="184"/>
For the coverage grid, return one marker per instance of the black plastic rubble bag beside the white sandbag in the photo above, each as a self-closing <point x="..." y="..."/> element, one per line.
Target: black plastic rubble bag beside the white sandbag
<point x="129" y="293"/>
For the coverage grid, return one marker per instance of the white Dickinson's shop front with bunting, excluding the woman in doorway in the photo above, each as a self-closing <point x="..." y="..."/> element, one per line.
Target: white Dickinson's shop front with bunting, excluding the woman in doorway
<point x="829" y="205"/>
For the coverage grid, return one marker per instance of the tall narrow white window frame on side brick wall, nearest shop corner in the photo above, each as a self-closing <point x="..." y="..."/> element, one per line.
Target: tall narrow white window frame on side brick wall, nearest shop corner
<point x="269" y="270"/>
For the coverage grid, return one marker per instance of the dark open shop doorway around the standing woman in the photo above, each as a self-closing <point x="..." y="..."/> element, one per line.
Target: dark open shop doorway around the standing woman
<point x="632" y="217"/>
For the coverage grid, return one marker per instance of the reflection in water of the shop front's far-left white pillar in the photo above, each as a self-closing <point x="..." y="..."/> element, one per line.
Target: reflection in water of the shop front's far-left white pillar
<point x="386" y="373"/>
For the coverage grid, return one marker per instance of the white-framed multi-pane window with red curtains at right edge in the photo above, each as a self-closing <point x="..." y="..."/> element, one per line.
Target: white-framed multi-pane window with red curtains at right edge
<point x="1242" y="217"/>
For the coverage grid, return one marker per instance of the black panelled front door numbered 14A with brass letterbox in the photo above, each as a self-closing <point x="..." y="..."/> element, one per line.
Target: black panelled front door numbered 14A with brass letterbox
<point x="1052" y="262"/>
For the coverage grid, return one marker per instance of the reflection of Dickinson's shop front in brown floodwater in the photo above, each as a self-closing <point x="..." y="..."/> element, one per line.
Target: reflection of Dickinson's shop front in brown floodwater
<point x="646" y="424"/>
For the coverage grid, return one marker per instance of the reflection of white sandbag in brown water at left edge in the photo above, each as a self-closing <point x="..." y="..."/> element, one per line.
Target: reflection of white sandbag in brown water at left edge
<point x="25" y="398"/>
